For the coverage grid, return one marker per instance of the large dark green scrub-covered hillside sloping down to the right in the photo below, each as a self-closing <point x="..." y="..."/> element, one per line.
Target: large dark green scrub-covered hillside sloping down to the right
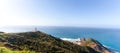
<point x="40" y="42"/>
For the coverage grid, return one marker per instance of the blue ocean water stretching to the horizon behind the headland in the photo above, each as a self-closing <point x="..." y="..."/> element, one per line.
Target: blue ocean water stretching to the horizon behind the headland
<point x="108" y="37"/>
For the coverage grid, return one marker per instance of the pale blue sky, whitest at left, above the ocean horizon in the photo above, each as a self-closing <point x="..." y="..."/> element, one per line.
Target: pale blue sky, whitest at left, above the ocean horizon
<point x="80" y="13"/>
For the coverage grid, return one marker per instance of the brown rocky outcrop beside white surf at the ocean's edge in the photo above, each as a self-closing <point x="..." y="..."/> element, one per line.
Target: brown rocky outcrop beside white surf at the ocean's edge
<point x="93" y="44"/>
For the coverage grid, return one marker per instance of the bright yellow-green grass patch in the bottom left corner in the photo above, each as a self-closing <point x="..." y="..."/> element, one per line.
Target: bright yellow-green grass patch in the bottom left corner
<point x="6" y="50"/>
